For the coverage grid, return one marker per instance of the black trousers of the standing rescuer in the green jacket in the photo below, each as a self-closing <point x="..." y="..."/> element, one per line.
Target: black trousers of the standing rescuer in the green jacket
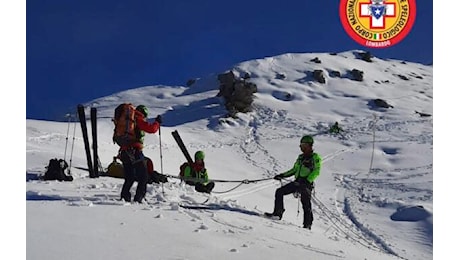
<point x="304" y="188"/>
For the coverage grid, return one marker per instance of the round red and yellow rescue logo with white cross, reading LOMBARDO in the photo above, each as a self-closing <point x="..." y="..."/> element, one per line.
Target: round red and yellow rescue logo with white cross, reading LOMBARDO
<point x="377" y="23"/>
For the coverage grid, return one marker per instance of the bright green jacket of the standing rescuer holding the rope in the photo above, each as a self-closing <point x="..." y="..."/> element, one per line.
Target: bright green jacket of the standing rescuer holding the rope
<point x="308" y="168"/>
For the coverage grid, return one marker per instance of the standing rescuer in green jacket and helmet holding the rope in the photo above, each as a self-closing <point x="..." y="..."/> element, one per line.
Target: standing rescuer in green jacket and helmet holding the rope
<point x="306" y="169"/>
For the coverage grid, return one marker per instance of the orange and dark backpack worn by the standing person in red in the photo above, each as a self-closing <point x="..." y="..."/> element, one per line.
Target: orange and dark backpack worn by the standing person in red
<point x="125" y="124"/>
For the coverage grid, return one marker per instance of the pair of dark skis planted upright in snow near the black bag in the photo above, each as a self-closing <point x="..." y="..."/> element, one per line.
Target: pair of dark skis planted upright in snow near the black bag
<point x="93" y="168"/>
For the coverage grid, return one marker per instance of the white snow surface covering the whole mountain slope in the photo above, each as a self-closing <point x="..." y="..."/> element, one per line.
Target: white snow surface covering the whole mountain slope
<point x="373" y="199"/>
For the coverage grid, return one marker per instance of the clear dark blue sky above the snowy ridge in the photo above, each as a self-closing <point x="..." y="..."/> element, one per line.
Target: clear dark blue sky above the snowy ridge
<point x="82" y="50"/>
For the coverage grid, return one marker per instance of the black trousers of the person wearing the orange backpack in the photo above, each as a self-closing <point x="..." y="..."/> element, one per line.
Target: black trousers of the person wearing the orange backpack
<point x="135" y="169"/>
